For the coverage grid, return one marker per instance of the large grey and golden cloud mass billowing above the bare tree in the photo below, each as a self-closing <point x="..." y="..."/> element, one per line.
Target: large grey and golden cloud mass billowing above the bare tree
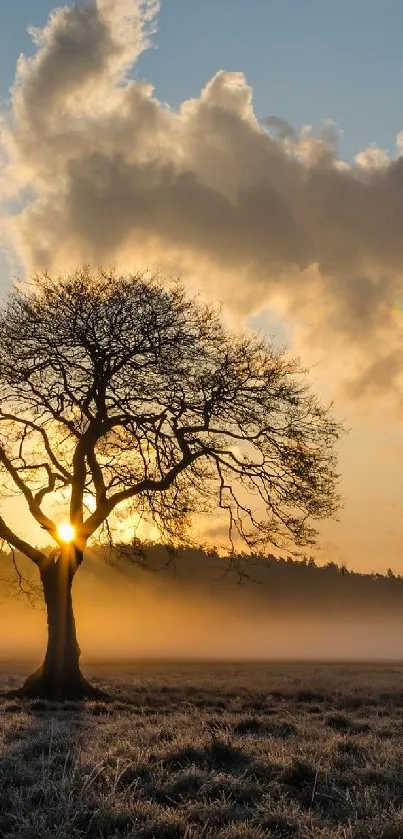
<point x="259" y="213"/>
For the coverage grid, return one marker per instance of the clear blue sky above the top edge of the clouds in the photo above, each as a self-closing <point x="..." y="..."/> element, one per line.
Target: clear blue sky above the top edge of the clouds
<point x="307" y="60"/>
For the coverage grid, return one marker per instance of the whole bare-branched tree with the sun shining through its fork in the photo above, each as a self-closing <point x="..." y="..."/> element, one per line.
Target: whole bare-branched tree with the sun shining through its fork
<point x="124" y="391"/>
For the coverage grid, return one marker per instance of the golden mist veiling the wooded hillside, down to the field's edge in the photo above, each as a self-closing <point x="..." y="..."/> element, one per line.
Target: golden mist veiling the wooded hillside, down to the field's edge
<point x="193" y="612"/>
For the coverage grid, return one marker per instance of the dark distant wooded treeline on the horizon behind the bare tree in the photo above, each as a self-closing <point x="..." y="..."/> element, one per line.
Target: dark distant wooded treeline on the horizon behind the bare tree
<point x="296" y="584"/>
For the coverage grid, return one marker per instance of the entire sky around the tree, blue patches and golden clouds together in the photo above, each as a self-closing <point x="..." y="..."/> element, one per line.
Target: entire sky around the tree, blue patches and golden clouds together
<point x="254" y="149"/>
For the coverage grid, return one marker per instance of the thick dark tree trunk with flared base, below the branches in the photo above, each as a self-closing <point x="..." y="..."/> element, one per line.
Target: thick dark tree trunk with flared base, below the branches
<point x="60" y="676"/>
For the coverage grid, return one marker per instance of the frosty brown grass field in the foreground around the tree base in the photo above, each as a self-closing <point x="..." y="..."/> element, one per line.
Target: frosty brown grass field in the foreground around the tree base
<point x="197" y="751"/>
